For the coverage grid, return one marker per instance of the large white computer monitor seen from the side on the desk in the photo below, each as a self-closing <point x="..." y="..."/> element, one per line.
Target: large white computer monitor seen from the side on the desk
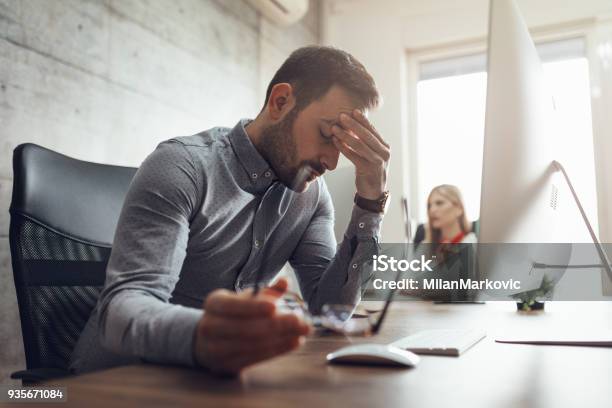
<point x="519" y="196"/>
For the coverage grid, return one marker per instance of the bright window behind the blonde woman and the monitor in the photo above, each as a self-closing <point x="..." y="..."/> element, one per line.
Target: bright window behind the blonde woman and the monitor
<point x="451" y="98"/>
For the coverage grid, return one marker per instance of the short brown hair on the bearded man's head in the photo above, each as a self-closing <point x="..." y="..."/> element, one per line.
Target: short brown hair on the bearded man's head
<point x="313" y="70"/>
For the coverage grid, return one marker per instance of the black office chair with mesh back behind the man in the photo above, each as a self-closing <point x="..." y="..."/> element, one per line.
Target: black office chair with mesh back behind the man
<point x="63" y="217"/>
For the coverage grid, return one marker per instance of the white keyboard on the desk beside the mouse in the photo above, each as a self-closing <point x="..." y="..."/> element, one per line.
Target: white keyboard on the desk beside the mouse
<point x="446" y="342"/>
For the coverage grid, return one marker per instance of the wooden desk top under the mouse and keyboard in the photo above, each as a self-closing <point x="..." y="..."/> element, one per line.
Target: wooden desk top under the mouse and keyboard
<point x="489" y="375"/>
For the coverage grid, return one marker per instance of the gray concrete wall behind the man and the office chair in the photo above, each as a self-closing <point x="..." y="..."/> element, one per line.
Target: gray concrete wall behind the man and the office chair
<point x="107" y="80"/>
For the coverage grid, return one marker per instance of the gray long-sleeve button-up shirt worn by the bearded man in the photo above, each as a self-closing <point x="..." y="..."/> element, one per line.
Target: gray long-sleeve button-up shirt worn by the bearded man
<point x="206" y="212"/>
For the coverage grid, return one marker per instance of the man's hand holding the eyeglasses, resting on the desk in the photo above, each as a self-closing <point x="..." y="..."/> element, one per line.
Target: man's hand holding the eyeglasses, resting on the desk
<point x="239" y="329"/>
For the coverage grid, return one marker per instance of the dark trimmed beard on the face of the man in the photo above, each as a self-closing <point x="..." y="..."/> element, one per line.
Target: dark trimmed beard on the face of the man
<point x="278" y="146"/>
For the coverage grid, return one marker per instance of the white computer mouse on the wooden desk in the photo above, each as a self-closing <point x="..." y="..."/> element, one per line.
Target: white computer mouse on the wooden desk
<point x="374" y="354"/>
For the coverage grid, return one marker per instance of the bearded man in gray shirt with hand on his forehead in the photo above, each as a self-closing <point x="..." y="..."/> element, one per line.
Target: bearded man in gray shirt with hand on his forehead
<point x="206" y="215"/>
